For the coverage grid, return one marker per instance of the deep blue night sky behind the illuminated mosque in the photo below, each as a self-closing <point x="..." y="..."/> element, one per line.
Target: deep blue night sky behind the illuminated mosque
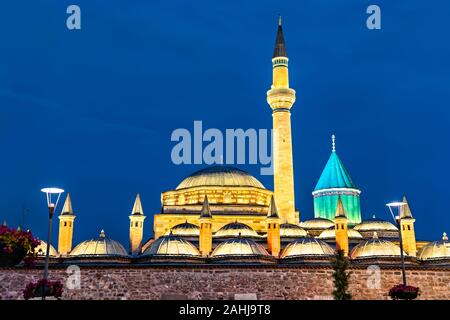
<point x="92" y="111"/>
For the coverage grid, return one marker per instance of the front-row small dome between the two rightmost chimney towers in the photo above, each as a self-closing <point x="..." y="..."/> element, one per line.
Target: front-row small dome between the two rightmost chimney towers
<point x="375" y="248"/>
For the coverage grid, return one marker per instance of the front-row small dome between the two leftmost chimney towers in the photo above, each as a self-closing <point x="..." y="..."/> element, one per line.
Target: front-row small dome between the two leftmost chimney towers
<point x="102" y="246"/>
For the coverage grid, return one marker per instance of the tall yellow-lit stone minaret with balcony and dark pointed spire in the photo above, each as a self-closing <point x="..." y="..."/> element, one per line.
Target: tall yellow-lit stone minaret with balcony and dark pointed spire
<point x="281" y="98"/>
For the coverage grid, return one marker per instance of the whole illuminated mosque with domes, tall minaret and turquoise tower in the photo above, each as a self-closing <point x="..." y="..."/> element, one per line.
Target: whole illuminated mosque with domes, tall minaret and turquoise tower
<point x="222" y="214"/>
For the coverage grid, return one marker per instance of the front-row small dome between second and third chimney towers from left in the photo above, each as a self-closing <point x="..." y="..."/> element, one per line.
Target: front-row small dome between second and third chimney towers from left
<point x="171" y="245"/>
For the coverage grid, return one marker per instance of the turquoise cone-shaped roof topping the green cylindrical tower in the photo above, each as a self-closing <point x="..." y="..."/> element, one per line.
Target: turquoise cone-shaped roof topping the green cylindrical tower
<point x="334" y="175"/>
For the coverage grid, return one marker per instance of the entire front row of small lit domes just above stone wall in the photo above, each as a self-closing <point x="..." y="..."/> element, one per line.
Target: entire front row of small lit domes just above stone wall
<point x="171" y="245"/>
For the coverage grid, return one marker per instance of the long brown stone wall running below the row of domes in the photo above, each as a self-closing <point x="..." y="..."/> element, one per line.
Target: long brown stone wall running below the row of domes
<point x="224" y="282"/>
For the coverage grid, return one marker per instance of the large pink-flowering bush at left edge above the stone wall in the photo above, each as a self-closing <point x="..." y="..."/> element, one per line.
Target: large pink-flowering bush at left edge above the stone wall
<point x="15" y="244"/>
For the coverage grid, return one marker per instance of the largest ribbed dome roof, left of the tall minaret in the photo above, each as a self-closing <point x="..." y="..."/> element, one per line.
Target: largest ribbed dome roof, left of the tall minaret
<point x="220" y="176"/>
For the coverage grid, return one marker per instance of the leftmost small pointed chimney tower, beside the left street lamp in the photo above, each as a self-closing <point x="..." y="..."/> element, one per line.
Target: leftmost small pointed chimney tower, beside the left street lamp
<point x="66" y="220"/>
